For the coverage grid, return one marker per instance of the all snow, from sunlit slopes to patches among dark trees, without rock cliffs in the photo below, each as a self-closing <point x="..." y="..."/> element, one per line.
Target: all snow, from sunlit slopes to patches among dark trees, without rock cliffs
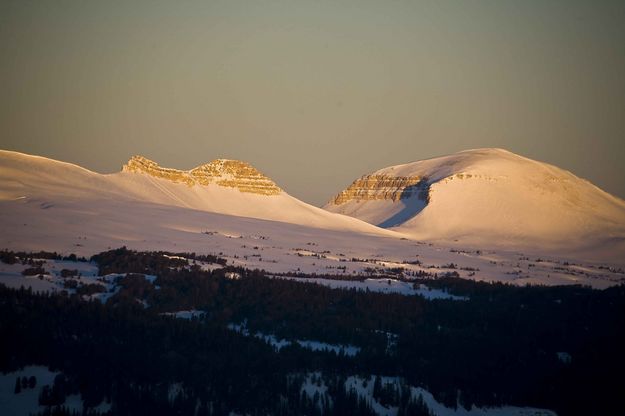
<point x="492" y="216"/>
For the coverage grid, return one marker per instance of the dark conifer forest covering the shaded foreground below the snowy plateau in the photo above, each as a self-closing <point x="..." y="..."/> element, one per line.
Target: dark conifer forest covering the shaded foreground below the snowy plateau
<point x="502" y="346"/>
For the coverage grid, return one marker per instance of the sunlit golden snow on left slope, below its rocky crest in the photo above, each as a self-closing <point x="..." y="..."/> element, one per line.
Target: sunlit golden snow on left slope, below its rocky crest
<point x="49" y="181"/>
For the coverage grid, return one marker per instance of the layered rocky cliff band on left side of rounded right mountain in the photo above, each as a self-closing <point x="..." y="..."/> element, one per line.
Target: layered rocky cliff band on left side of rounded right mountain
<point x="383" y="187"/>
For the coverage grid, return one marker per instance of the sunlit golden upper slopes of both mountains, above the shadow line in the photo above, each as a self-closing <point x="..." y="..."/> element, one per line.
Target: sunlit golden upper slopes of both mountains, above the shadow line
<point x="477" y="197"/>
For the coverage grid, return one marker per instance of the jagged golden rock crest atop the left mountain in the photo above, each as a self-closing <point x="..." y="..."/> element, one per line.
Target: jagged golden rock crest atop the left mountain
<point x="223" y="172"/>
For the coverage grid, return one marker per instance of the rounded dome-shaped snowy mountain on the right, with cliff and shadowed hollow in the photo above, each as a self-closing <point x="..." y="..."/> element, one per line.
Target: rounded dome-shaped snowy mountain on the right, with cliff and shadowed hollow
<point x="486" y="196"/>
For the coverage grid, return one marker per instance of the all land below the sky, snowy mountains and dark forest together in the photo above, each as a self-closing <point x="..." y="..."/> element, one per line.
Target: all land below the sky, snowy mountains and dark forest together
<point x="480" y="283"/>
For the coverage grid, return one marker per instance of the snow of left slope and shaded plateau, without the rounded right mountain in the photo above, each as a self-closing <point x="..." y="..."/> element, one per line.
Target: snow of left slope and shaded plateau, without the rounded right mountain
<point x="55" y="206"/>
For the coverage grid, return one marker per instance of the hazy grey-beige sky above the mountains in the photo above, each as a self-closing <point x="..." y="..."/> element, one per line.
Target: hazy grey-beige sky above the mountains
<point x="315" y="93"/>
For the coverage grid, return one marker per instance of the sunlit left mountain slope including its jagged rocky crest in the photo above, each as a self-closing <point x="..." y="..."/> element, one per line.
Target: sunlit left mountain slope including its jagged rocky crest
<point x="222" y="186"/>
